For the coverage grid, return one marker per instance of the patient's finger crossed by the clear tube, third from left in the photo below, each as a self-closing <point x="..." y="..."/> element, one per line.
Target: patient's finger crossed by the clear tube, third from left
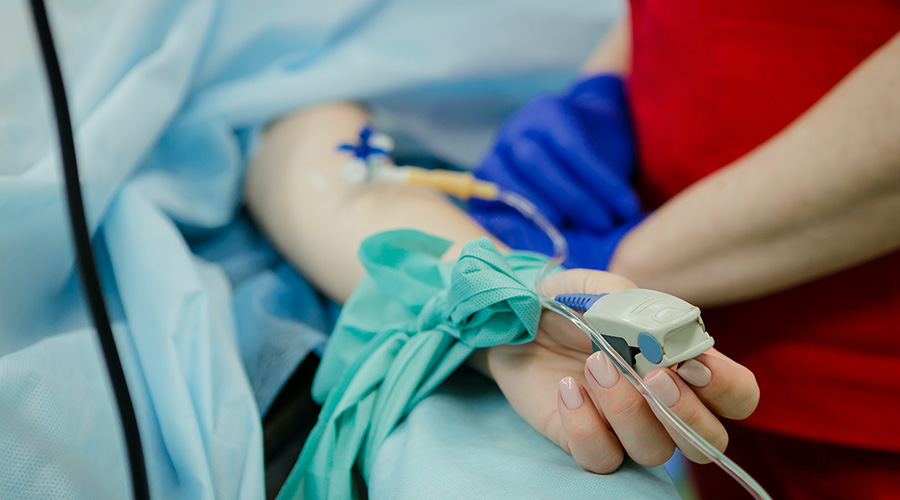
<point x="678" y="396"/>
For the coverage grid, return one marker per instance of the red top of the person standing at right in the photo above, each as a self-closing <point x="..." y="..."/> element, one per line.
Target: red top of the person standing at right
<point x="712" y="80"/>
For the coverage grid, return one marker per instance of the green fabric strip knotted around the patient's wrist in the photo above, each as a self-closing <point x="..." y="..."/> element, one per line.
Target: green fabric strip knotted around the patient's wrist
<point x="407" y="327"/>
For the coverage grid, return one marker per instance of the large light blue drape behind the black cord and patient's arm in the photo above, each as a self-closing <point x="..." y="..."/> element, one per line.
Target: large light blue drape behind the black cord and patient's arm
<point x="168" y="99"/>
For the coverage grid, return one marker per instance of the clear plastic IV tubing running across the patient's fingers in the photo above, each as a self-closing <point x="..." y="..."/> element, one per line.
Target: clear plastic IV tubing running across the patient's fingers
<point x="561" y="250"/>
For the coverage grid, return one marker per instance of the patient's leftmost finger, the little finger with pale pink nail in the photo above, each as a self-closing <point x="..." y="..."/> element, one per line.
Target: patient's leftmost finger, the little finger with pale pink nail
<point x="588" y="439"/>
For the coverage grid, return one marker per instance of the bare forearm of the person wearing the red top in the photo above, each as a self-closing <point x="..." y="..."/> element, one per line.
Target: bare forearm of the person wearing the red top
<point x="821" y="196"/>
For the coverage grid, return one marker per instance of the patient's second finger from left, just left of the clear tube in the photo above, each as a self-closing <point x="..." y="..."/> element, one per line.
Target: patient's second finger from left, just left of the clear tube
<point x="640" y="432"/>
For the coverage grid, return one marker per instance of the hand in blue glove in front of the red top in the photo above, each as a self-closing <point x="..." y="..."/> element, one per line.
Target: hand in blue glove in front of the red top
<point x="573" y="156"/>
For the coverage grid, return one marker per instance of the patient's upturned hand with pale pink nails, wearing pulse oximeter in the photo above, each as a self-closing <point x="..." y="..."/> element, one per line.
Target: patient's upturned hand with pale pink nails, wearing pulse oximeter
<point x="581" y="402"/>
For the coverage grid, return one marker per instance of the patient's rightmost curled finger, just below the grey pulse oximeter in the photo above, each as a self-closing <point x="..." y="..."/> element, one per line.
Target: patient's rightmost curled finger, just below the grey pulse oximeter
<point x="727" y="387"/>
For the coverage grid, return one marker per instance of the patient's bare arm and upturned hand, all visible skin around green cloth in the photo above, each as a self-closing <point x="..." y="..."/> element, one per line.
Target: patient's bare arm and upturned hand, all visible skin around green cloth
<point x="295" y="191"/>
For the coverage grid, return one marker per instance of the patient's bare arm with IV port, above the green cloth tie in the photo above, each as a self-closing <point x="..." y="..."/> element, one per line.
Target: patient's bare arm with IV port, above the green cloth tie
<point x="296" y="193"/>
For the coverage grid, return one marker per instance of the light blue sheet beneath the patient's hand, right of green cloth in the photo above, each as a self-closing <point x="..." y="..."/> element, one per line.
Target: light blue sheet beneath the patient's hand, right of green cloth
<point x="466" y="429"/>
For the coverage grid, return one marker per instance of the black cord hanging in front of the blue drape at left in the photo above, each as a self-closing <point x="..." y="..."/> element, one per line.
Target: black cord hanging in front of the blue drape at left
<point x="89" y="277"/>
